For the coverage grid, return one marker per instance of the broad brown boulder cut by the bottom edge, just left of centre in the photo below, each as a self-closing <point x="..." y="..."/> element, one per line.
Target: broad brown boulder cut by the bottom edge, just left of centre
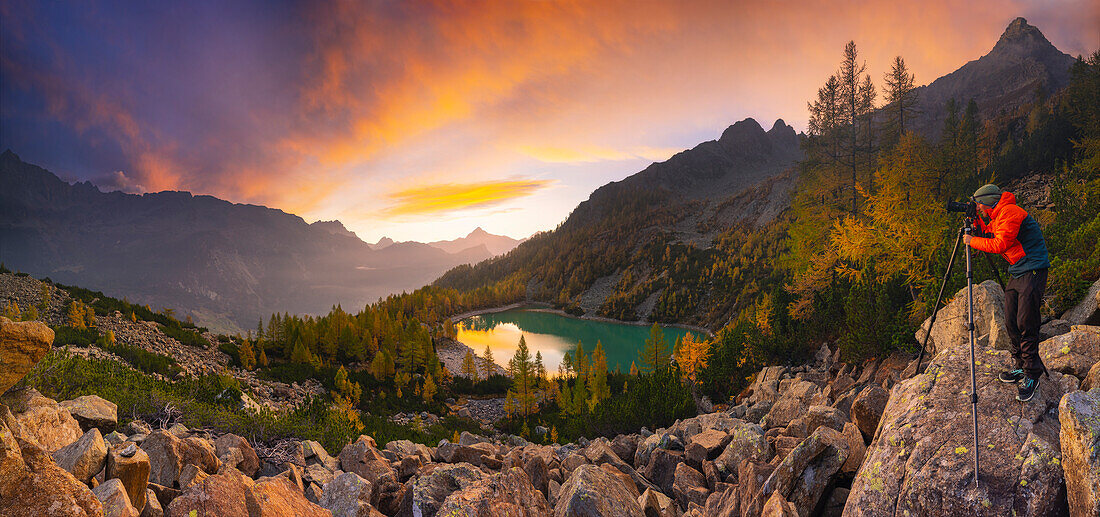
<point x="508" y="493"/>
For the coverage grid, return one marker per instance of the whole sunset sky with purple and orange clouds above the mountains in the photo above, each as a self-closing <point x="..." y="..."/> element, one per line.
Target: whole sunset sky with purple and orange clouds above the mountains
<point x="424" y="120"/>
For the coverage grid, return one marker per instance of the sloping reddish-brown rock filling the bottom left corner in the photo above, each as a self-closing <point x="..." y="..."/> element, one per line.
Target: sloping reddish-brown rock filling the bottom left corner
<point x="31" y="486"/>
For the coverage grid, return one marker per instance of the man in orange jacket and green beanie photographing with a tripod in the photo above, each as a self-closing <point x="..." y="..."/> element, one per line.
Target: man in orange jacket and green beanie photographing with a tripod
<point x="1018" y="238"/>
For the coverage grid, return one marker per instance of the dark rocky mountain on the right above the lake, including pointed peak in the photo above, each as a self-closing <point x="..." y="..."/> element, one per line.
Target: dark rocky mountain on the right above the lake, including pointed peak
<point x="738" y="183"/>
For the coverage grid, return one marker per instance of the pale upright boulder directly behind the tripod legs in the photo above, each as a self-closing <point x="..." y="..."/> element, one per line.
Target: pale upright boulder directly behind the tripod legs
<point x="951" y="332"/>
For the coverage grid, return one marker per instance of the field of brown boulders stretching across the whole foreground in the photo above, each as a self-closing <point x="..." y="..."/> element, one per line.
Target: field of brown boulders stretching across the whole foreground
<point x="828" y="438"/>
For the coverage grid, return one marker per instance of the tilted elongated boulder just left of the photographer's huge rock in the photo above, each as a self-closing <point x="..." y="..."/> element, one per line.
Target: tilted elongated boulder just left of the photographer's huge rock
<point x="805" y="475"/>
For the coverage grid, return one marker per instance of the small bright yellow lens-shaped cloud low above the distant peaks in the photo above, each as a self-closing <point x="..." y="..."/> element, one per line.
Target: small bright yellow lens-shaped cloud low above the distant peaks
<point x="454" y="197"/>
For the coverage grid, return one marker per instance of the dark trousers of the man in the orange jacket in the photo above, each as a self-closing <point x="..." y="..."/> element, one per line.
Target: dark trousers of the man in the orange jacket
<point x="1024" y="296"/>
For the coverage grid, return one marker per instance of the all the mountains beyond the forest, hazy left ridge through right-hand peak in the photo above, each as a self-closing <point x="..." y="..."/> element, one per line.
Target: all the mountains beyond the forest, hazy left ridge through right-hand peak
<point x="230" y="265"/>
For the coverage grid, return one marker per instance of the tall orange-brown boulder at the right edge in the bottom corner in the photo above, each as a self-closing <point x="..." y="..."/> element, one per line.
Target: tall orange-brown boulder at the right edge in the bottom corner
<point x="1080" y="414"/>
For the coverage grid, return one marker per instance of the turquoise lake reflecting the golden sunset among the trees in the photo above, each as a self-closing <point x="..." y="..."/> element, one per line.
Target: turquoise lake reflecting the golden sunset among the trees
<point x="554" y="335"/>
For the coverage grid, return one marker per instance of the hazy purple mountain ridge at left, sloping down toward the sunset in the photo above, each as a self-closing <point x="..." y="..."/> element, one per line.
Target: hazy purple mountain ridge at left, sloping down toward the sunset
<point x="227" y="265"/>
